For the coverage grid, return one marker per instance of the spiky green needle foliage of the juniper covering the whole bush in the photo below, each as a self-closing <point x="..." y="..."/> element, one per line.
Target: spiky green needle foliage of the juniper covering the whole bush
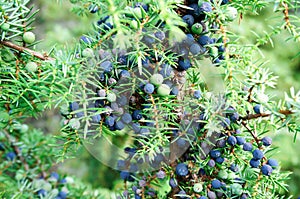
<point x="32" y="82"/>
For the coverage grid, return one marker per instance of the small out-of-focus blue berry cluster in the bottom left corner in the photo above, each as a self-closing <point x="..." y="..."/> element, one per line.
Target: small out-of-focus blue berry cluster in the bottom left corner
<point x="17" y="155"/>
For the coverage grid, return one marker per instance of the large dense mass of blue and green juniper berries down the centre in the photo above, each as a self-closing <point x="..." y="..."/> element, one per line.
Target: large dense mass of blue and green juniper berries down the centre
<point x="187" y="159"/>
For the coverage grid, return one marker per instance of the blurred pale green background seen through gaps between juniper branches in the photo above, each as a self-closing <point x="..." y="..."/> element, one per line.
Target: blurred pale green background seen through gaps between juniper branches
<point x="57" y="25"/>
